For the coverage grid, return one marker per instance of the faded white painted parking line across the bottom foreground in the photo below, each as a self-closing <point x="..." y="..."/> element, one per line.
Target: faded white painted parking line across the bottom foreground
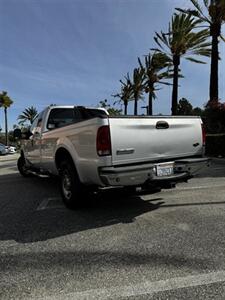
<point x="145" y="288"/>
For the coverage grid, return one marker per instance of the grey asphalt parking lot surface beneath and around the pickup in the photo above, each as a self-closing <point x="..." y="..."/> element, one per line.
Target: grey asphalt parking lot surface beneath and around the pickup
<point x="164" y="245"/>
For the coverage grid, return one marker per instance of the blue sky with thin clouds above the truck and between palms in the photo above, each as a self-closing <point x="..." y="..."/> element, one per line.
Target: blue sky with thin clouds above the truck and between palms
<point x="76" y="51"/>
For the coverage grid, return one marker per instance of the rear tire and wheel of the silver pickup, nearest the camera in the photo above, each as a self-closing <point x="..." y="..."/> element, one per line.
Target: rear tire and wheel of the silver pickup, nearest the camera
<point x="72" y="190"/>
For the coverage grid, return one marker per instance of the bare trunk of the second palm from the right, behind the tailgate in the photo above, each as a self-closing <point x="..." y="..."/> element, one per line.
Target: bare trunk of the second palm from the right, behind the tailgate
<point x="176" y="63"/>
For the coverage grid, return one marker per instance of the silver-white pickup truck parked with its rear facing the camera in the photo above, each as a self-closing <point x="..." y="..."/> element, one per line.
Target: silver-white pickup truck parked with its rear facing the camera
<point x="89" y="149"/>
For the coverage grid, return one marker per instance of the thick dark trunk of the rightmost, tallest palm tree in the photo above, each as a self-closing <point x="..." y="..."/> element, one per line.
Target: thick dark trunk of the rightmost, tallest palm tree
<point x="213" y="89"/>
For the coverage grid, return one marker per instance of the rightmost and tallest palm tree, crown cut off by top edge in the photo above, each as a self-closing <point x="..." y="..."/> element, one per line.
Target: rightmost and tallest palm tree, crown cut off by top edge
<point x="215" y="19"/>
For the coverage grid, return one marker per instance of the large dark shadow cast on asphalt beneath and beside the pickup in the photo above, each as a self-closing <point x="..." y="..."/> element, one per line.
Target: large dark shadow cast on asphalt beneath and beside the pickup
<point x="21" y="220"/>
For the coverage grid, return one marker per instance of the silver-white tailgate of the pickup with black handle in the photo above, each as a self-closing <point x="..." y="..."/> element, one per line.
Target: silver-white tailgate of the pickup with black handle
<point x="139" y="139"/>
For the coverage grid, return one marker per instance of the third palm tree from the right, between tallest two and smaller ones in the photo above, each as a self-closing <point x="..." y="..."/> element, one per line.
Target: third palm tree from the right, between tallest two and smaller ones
<point x="154" y="72"/>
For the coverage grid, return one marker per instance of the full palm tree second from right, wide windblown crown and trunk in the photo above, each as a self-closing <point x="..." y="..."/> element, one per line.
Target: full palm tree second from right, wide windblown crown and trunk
<point x="182" y="40"/>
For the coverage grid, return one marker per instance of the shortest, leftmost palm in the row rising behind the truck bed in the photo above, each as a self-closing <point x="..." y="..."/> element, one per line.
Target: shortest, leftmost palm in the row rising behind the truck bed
<point x="126" y="93"/>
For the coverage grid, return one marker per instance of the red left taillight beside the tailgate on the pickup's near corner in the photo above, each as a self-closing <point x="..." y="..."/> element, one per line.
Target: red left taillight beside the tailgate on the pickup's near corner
<point x="103" y="142"/>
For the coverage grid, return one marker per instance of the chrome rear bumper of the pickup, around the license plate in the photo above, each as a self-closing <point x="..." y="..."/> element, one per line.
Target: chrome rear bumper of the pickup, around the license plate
<point x="141" y="174"/>
